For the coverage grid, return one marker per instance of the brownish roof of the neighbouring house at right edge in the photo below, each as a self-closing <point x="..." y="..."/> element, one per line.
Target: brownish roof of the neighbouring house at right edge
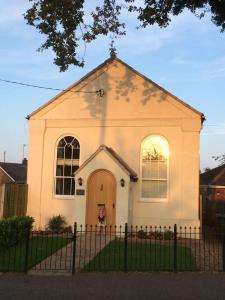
<point x="214" y="176"/>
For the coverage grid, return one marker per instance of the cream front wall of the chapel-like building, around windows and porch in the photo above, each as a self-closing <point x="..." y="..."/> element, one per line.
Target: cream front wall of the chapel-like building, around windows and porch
<point x="129" y="111"/>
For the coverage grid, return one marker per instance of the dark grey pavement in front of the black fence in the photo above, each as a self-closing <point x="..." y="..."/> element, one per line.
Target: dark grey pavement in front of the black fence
<point x="113" y="286"/>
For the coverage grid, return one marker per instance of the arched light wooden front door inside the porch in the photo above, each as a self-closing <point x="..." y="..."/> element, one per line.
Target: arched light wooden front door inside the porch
<point x="101" y="192"/>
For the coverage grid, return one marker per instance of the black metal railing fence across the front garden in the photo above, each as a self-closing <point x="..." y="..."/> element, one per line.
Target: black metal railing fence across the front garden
<point x="116" y="248"/>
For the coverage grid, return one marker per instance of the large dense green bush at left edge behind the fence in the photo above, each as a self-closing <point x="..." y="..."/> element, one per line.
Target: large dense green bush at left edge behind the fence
<point x="13" y="230"/>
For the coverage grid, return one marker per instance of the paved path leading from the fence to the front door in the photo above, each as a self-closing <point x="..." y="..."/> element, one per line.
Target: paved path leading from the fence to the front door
<point x="61" y="261"/>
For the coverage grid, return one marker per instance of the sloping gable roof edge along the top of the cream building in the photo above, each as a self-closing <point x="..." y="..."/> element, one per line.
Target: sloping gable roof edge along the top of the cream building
<point x="106" y="62"/>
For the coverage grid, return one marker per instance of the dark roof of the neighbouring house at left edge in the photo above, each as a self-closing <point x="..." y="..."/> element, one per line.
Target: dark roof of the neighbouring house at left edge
<point x="17" y="172"/>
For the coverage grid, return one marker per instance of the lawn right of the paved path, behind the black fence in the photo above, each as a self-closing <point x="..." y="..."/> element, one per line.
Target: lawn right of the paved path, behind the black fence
<point x="141" y="257"/>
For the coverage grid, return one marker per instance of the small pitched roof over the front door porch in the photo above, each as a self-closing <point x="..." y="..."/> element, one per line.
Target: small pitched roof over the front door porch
<point x="115" y="156"/>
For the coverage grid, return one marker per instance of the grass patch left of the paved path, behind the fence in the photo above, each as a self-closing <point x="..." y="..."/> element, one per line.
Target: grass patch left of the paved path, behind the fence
<point x="40" y="247"/>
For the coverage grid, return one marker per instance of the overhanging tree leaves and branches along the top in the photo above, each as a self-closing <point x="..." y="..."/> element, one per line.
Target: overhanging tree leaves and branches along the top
<point x="62" y="22"/>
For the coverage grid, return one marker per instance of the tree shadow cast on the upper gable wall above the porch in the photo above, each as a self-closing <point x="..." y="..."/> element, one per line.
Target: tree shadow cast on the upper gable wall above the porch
<point x="124" y="88"/>
